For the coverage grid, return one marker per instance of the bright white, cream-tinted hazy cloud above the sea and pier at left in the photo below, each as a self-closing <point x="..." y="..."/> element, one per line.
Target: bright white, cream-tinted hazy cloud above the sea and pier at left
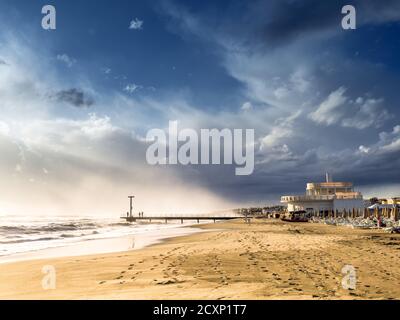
<point x="83" y="151"/>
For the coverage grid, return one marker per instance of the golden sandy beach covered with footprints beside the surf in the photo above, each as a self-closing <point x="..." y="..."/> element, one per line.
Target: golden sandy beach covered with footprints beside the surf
<point x="267" y="259"/>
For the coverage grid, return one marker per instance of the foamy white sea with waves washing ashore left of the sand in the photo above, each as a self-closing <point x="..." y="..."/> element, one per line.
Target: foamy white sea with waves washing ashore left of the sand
<point x="22" y="236"/>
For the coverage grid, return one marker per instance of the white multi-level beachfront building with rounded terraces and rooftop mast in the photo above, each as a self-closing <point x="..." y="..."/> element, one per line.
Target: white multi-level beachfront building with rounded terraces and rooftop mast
<point x="326" y="196"/>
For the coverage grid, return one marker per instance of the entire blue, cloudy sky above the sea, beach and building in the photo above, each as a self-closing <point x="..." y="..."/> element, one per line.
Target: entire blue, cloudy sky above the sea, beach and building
<point x="76" y="102"/>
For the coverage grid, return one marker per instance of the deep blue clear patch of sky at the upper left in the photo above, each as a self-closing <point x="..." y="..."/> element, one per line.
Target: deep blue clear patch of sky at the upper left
<point x="96" y="34"/>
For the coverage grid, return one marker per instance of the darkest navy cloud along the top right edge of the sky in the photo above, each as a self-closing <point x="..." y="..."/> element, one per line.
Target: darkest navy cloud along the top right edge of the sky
<point x="278" y="22"/>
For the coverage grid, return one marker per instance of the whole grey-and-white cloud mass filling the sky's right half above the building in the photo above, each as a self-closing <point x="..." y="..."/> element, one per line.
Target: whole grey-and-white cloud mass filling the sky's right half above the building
<point x="313" y="148"/>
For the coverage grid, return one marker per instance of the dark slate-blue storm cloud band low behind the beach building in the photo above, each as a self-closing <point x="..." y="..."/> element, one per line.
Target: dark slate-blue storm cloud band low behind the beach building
<point x="269" y="182"/>
